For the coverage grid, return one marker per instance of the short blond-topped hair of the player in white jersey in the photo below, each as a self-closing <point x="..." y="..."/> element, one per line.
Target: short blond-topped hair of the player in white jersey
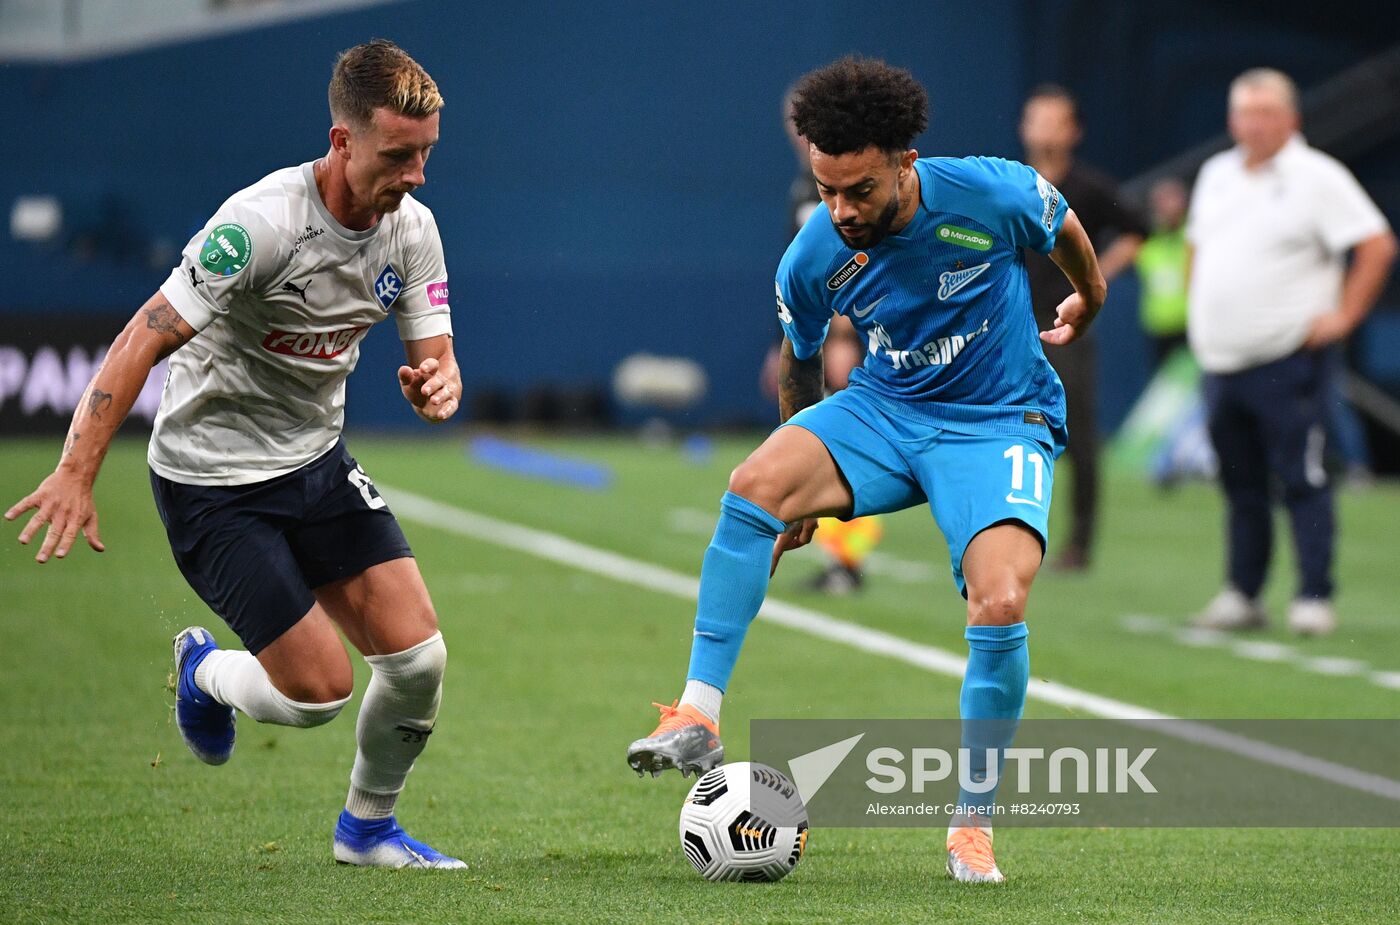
<point x="380" y="75"/>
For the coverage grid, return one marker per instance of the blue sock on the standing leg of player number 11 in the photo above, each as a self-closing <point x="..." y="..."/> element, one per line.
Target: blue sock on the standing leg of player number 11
<point x="993" y="696"/>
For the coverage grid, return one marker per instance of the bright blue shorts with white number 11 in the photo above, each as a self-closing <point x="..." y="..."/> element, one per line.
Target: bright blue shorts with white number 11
<point x="971" y="482"/>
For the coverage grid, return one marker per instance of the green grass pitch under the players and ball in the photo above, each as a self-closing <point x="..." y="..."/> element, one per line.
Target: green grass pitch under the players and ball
<point x="108" y="819"/>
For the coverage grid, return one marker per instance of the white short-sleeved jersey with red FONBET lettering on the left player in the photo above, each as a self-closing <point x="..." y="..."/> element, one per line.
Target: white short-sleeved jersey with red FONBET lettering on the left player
<point x="282" y="295"/>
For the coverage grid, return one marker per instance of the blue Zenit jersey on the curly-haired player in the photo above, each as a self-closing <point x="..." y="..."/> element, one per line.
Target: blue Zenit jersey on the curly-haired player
<point x="944" y="306"/>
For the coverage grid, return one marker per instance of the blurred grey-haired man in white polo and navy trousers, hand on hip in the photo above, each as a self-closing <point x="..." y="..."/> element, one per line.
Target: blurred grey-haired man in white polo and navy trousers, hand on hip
<point x="1270" y="226"/>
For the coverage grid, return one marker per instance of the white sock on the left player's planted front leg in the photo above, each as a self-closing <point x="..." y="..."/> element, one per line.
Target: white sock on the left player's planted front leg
<point x="395" y="723"/>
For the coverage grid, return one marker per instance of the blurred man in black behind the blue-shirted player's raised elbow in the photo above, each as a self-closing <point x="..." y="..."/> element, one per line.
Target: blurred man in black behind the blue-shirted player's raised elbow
<point x="1051" y="131"/>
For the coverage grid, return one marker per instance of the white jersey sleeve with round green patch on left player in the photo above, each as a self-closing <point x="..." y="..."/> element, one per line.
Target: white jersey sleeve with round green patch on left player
<point x="233" y="254"/>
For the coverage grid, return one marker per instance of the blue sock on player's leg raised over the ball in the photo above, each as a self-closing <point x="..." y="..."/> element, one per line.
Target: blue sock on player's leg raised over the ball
<point x="733" y="584"/>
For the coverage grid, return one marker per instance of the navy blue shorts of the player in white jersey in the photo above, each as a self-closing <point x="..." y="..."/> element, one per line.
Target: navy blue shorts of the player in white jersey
<point x="254" y="553"/>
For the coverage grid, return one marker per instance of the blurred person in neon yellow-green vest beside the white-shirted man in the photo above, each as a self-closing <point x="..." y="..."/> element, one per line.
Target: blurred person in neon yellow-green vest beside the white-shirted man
<point x="1161" y="265"/>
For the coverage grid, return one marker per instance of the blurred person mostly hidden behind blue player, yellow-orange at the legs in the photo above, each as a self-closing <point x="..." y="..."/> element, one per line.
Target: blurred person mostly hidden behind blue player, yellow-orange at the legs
<point x="846" y="544"/>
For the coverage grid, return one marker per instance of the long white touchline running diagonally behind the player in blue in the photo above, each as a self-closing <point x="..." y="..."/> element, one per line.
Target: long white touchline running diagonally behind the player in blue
<point x="632" y="572"/>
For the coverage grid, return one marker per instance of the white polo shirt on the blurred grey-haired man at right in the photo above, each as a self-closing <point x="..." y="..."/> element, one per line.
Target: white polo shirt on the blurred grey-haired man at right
<point x="1270" y="248"/>
